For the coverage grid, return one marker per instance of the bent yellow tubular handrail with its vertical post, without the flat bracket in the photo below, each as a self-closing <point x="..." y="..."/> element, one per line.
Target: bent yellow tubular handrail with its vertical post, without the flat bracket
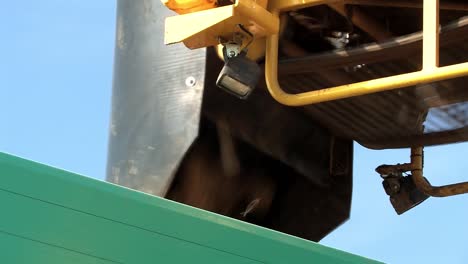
<point x="430" y="73"/>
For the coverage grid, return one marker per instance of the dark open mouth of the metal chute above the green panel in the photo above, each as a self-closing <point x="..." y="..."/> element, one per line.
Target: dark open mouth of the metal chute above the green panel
<point x="290" y="170"/>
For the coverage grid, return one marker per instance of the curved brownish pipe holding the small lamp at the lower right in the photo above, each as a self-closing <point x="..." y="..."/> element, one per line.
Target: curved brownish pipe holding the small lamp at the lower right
<point x="424" y="186"/>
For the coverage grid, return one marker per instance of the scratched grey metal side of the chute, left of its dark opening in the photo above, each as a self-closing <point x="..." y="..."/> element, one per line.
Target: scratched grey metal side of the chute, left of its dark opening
<point x="156" y="99"/>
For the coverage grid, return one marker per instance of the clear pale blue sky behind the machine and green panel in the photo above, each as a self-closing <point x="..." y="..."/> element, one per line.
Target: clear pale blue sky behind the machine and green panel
<point x="55" y="91"/>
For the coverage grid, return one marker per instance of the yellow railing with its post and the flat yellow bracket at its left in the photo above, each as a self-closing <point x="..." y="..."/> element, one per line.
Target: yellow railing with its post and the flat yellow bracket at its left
<point x="222" y="21"/>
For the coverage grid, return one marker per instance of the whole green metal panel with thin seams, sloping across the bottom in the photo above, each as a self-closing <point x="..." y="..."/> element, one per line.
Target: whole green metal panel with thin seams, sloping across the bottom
<point x="53" y="216"/>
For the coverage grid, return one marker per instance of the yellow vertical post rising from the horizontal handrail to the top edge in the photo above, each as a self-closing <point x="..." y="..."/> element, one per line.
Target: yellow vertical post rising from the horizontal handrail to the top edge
<point x="430" y="34"/>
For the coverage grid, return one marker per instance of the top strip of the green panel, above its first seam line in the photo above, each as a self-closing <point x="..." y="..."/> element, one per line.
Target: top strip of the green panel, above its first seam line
<point x="160" y="215"/>
